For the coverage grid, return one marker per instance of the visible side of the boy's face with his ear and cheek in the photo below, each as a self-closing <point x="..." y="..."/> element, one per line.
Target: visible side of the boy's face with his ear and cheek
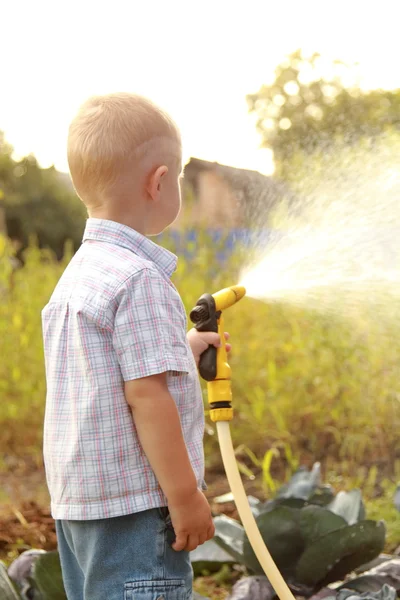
<point x="167" y="209"/>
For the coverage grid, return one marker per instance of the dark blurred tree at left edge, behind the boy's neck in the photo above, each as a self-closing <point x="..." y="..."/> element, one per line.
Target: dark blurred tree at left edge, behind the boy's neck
<point x="38" y="202"/>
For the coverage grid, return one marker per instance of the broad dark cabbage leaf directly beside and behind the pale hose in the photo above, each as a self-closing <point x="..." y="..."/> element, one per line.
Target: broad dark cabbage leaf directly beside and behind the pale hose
<point x="281" y="533"/>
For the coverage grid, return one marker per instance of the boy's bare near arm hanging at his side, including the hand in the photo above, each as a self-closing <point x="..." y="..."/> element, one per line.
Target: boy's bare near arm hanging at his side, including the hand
<point x="159" y="430"/>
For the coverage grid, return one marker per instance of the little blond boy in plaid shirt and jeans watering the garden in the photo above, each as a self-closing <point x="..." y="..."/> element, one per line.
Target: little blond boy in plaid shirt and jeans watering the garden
<point x="123" y="433"/>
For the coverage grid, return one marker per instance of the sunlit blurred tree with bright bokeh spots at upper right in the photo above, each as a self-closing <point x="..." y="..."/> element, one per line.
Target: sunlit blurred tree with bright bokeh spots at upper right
<point x="313" y="102"/>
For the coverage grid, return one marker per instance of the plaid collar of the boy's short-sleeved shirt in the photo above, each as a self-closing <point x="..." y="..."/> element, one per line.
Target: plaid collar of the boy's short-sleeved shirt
<point x="111" y="232"/>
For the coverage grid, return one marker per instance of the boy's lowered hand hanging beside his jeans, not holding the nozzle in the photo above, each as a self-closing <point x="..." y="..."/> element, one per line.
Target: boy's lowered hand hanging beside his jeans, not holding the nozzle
<point x="192" y="522"/>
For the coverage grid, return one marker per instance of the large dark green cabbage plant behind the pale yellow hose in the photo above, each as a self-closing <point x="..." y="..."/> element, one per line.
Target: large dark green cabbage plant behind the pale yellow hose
<point x="314" y="536"/>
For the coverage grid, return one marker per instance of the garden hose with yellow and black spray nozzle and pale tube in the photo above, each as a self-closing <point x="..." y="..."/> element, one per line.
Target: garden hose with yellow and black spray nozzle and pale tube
<point x="214" y="368"/>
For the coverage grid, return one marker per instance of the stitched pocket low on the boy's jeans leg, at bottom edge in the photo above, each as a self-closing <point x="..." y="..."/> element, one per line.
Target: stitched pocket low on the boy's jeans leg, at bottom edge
<point x="167" y="589"/>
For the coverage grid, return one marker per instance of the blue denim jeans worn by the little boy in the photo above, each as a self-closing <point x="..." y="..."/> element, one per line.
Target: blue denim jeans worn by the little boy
<point x="123" y="558"/>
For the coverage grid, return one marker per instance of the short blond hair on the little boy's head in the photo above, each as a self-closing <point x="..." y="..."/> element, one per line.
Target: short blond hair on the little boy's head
<point x="108" y="135"/>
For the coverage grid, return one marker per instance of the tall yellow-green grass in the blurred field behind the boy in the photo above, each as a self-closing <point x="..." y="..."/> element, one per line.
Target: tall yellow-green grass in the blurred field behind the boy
<point x="305" y="385"/>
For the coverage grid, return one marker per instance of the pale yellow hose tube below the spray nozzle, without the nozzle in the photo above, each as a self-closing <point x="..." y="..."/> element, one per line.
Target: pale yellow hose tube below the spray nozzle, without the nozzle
<point x="246" y="516"/>
